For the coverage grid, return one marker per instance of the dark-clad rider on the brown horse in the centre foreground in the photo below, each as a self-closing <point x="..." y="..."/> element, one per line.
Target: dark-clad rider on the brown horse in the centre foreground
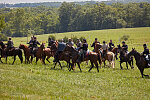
<point x="84" y="51"/>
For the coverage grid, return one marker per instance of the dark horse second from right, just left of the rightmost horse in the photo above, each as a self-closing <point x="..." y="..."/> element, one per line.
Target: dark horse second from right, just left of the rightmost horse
<point x="124" y="58"/>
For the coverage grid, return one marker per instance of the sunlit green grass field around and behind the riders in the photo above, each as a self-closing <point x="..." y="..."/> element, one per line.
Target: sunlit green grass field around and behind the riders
<point x="31" y="81"/>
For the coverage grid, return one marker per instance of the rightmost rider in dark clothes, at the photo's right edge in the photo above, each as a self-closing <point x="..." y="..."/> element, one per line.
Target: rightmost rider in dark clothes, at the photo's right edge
<point x="146" y="54"/>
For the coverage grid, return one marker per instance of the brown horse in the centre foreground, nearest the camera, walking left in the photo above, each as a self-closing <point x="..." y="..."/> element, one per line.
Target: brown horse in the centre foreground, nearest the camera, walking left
<point x="92" y="56"/>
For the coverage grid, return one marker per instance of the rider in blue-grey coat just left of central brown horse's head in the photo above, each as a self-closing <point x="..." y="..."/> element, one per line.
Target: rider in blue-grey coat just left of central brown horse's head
<point x="61" y="47"/>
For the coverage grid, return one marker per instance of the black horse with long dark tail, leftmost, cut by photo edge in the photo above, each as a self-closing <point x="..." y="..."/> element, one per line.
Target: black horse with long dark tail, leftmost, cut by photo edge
<point x="13" y="52"/>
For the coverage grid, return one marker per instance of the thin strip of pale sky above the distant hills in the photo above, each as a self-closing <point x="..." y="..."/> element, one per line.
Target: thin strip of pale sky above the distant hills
<point x="37" y="1"/>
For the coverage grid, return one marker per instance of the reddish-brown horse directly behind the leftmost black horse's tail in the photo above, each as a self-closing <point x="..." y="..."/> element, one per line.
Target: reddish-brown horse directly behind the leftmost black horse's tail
<point x="27" y="53"/>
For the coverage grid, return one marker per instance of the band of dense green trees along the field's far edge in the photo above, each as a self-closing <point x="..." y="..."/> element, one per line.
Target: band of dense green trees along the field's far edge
<point x="74" y="17"/>
